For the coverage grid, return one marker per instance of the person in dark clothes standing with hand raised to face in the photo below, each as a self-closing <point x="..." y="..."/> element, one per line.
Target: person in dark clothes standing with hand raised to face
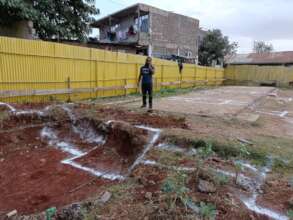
<point x="146" y="76"/>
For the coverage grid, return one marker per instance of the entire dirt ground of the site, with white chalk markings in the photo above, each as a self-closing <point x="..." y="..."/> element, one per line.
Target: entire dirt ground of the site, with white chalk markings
<point x="110" y="159"/>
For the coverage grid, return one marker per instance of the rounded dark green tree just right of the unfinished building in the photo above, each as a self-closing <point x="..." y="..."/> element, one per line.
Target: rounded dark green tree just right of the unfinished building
<point x="215" y="47"/>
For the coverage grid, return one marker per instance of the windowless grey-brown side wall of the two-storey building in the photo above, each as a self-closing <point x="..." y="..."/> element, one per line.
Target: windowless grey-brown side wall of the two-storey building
<point x="173" y="34"/>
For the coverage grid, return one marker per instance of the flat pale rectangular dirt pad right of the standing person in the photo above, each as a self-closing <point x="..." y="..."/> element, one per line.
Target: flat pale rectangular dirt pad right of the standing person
<point x="217" y="102"/>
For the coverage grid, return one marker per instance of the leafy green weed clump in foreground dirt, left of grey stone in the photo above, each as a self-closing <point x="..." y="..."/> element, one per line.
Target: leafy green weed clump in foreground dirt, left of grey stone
<point x="176" y="190"/>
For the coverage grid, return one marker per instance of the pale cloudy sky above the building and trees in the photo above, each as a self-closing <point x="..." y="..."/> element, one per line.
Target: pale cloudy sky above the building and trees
<point x="242" y="20"/>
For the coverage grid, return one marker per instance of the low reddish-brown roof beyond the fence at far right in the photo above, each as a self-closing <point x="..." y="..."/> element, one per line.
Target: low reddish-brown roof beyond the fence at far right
<point x="262" y="58"/>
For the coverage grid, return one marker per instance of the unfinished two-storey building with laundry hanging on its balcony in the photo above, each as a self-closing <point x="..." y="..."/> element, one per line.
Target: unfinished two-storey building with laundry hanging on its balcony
<point x="147" y="30"/>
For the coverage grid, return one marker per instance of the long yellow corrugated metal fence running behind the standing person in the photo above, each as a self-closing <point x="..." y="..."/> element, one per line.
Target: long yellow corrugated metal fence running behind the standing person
<point x="38" y="71"/>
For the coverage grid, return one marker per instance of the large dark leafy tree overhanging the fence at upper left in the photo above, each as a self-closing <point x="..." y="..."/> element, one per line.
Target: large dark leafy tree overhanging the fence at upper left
<point x="53" y="19"/>
